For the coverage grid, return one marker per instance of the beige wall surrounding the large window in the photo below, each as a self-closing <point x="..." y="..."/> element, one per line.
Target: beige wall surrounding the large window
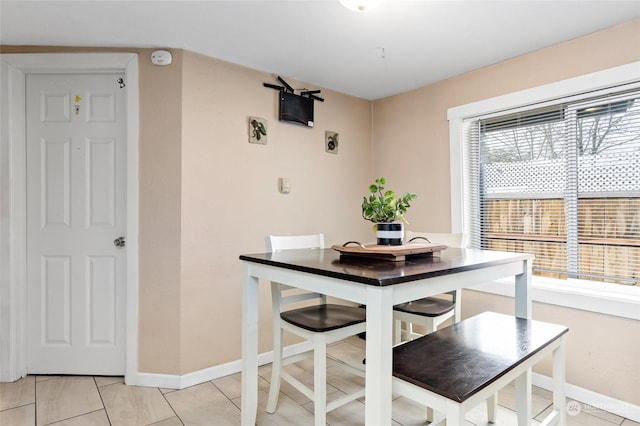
<point x="411" y="147"/>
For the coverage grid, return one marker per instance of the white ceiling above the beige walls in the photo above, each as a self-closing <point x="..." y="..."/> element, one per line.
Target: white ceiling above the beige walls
<point x="397" y="47"/>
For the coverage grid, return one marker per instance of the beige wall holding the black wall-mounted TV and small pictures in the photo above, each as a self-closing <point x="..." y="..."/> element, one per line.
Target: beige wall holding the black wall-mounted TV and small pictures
<point x="230" y="199"/>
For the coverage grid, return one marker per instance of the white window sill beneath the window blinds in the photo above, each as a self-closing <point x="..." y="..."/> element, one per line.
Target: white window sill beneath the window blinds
<point x="609" y="299"/>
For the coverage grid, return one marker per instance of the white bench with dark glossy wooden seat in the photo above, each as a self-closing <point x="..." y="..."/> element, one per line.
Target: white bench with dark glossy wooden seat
<point x="454" y="369"/>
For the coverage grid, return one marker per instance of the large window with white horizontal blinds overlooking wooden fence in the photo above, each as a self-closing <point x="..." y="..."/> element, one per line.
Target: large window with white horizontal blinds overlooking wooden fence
<point x="560" y="181"/>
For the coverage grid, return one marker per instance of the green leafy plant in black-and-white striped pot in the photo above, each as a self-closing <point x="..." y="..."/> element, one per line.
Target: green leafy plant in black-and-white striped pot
<point x="386" y="211"/>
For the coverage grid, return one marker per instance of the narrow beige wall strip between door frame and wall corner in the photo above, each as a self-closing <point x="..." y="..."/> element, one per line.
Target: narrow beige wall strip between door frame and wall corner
<point x="160" y="174"/>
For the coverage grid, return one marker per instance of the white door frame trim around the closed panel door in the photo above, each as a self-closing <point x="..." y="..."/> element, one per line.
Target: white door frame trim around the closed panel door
<point x="13" y="208"/>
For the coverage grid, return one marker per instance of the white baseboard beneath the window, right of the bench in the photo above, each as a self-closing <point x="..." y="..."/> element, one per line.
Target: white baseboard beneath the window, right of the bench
<point x="592" y="400"/>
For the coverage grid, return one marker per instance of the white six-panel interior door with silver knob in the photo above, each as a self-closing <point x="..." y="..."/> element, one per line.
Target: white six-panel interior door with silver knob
<point x="76" y="274"/>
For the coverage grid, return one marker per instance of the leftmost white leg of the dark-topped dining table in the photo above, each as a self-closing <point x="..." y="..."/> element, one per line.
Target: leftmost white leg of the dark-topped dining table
<point x="249" y="405"/>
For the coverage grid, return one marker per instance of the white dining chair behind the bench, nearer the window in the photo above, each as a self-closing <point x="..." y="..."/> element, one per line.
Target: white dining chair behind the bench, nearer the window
<point x="428" y="312"/>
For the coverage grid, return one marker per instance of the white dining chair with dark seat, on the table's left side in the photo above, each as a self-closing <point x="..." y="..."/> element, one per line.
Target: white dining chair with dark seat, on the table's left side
<point x="321" y="323"/>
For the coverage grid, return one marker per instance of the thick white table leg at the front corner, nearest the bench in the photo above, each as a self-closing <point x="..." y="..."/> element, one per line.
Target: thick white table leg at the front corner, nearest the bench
<point x="378" y="357"/>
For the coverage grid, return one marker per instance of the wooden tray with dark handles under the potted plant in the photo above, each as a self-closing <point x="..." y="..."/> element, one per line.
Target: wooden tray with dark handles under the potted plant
<point x="394" y="253"/>
